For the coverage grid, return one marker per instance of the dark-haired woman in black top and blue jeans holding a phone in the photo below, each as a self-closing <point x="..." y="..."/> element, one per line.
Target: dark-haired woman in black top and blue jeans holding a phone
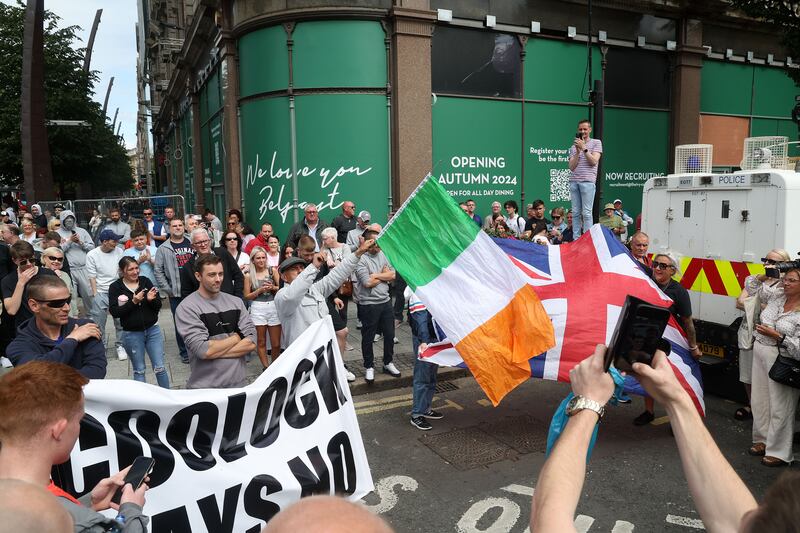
<point x="135" y="302"/>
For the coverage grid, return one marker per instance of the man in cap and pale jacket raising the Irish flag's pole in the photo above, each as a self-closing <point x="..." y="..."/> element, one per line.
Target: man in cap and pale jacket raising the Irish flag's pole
<point x="301" y="301"/>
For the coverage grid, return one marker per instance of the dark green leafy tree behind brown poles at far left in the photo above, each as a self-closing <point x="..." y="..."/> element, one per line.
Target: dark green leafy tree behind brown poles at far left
<point x="90" y="156"/>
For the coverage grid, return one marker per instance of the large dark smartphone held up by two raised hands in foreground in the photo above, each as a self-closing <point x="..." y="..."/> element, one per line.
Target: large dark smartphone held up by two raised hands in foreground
<point x="638" y="334"/>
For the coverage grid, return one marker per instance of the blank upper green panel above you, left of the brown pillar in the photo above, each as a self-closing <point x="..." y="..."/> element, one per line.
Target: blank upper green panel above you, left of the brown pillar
<point x="339" y="54"/>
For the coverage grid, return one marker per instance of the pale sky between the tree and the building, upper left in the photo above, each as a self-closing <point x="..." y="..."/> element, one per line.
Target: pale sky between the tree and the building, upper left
<point x="114" y="52"/>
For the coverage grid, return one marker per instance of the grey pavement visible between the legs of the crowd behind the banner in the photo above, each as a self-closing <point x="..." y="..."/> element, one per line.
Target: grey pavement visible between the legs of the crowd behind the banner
<point x="179" y="372"/>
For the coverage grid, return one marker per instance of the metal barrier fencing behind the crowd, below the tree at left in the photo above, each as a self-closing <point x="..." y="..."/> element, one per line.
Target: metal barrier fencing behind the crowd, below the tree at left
<point x="131" y="208"/>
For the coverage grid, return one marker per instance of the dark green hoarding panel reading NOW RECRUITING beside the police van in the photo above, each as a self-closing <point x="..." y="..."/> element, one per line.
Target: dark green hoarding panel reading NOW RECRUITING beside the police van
<point x="635" y="148"/>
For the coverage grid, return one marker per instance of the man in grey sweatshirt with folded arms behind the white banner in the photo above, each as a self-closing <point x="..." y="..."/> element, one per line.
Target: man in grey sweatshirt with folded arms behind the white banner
<point x="217" y="330"/>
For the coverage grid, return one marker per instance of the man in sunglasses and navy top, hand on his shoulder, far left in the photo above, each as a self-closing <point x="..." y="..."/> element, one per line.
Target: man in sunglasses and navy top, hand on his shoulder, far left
<point x="51" y="335"/>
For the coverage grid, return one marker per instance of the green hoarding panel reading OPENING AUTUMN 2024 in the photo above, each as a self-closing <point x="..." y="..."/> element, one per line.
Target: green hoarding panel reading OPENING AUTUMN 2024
<point x="477" y="150"/>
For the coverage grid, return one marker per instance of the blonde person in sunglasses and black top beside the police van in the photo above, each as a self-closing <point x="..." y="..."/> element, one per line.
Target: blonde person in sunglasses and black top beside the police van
<point x="664" y="267"/>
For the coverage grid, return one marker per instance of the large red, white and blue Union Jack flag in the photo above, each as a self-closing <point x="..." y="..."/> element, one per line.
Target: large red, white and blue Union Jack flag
<point x="583" y="286"/>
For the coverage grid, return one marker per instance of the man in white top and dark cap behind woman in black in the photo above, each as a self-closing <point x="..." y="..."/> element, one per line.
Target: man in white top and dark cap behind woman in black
<point x="102" y="267"/>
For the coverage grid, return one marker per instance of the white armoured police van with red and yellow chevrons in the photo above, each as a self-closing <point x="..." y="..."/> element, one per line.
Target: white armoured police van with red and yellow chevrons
<point x="719" y="226"/>
